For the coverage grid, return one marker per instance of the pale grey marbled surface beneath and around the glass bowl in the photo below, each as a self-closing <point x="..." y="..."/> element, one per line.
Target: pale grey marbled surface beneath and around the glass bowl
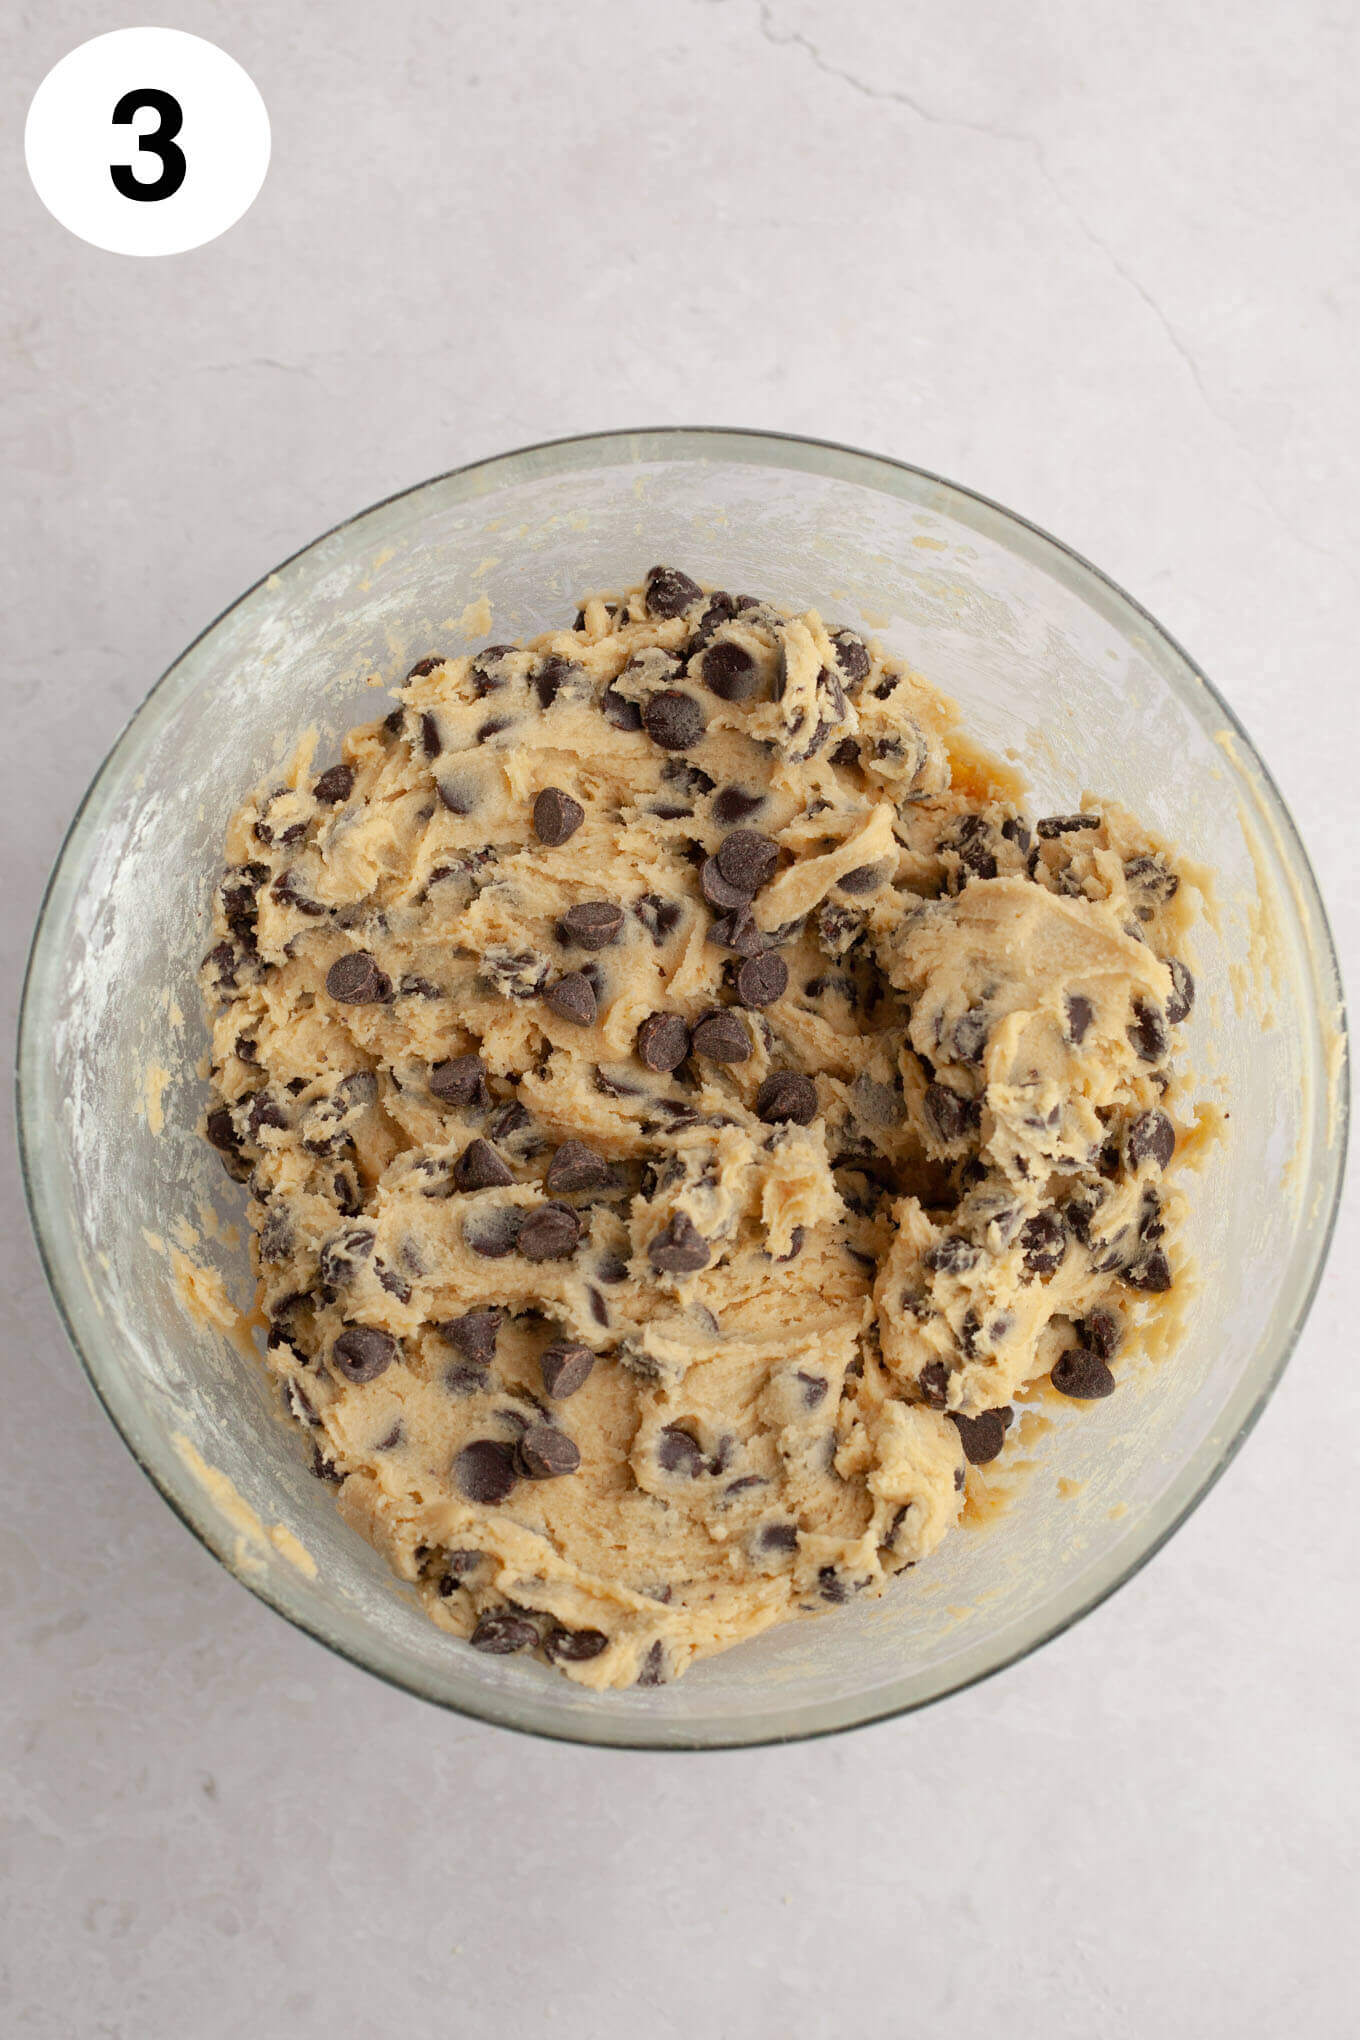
<point x="1096" y="262"/>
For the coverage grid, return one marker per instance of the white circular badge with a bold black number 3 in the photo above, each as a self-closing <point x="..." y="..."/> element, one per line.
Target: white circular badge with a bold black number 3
<point x="148" y="142"/>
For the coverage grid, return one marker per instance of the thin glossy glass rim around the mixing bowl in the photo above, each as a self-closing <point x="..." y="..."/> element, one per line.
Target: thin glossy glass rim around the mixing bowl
<point x="886" y="476"/>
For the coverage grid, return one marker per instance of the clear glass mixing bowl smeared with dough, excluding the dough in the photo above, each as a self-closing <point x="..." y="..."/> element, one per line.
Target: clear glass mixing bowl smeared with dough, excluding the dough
<point x="1049" y="662"/>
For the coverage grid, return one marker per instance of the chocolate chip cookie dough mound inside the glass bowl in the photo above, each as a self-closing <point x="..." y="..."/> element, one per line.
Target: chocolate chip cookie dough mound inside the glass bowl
<point x="684" y="1103"/>
